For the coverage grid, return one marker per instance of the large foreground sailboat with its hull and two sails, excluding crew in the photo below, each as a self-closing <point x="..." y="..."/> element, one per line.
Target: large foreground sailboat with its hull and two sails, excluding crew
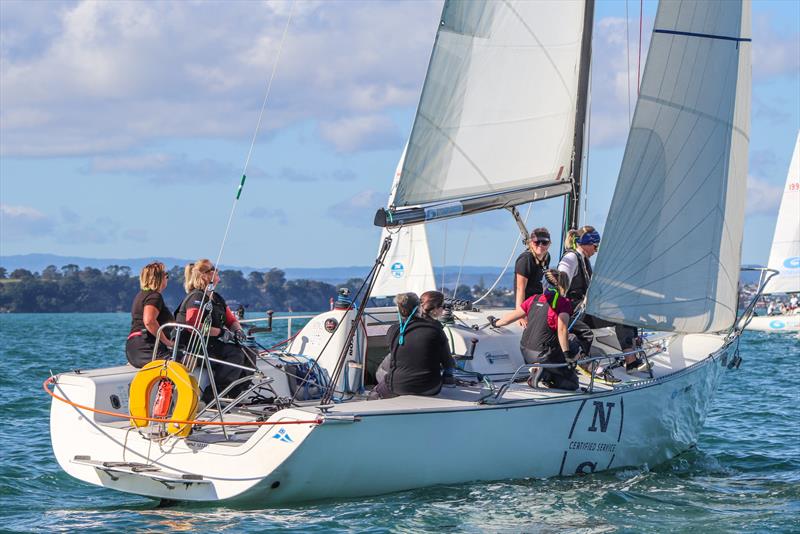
<point x="500" y="123"/>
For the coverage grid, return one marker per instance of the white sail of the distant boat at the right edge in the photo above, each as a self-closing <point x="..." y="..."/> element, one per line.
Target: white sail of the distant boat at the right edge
<point x="785" y="254"/>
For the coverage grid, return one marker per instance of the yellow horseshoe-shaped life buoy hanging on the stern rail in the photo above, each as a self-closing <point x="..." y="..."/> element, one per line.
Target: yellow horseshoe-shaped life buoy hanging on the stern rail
<point x="186" y="390"/>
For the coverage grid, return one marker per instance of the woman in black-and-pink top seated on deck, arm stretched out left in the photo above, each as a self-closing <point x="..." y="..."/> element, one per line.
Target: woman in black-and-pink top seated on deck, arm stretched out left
<point x="545" y="338"/>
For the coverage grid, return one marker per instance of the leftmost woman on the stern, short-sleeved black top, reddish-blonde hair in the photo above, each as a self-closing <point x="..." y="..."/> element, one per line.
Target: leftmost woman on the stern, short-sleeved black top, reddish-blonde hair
<point x="148" y="313"/>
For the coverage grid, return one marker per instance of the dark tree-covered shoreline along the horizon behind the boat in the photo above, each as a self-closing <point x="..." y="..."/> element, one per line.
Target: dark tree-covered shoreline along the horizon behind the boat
<point x="72" y="289"/>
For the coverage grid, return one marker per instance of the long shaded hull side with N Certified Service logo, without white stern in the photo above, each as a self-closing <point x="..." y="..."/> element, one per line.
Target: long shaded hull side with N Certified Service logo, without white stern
<point x="644" y="425"/>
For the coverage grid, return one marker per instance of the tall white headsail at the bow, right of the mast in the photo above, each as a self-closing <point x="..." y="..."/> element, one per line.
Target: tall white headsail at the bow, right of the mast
<point x="670" y="256"/>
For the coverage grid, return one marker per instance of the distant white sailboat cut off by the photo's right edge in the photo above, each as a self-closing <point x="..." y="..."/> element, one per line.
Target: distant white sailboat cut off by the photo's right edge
<point x="784" y="257"/>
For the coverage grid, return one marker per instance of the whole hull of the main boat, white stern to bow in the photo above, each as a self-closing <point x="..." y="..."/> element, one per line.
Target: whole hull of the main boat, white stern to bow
<point x="365" y="449"/>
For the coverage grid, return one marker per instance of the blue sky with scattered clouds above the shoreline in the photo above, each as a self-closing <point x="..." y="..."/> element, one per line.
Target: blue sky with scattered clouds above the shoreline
<point x="125" y="127"/>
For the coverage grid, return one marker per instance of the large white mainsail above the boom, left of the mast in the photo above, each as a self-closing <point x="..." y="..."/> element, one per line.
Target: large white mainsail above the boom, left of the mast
<point x="498" y="107"/>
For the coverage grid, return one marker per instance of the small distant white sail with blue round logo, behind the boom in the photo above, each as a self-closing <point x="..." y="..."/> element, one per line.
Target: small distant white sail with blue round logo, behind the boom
<point x="408" y="265"/>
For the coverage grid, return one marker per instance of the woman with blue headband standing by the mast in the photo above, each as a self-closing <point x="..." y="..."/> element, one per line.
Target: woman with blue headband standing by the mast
<point x="580" y="245"/>
